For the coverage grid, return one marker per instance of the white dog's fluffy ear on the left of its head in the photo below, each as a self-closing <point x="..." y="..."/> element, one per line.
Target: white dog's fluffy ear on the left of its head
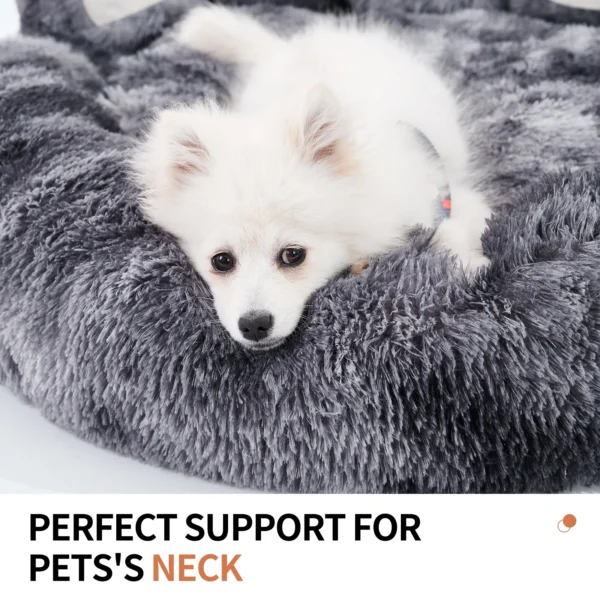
<point x="172" y="154"/>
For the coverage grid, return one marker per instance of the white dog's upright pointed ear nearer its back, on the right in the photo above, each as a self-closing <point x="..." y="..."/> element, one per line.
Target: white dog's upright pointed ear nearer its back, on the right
<point x="323" y="137"/>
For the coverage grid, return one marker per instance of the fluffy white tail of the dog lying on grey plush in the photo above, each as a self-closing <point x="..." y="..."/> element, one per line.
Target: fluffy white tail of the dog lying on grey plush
<point x="227" y="35"/>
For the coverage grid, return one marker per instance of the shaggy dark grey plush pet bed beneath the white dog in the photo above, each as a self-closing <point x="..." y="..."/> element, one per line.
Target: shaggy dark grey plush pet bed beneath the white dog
<point x="407" y="379"/>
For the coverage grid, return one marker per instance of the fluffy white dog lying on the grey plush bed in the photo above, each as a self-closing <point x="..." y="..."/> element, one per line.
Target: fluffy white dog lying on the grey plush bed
<point x="318" y="165"/>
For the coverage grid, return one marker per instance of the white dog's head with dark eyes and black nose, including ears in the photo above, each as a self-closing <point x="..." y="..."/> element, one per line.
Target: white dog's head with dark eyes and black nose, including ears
<point x="258" y="203"/>
